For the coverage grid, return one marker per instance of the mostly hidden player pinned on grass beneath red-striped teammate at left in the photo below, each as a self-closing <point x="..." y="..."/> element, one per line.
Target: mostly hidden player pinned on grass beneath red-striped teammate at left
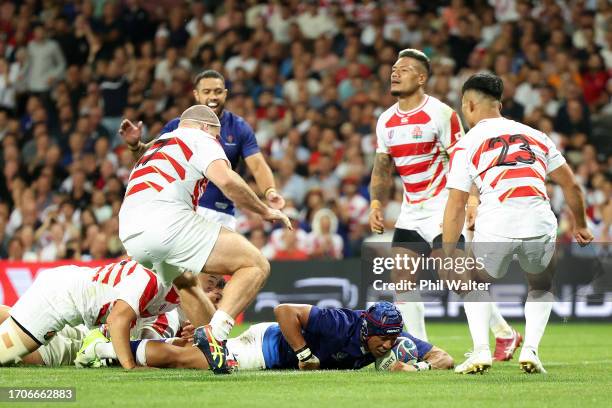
<point x="62" y="349"/>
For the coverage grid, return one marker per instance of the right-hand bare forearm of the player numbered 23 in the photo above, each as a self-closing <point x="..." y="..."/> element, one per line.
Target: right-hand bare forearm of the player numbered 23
<point x="574" y="198"/>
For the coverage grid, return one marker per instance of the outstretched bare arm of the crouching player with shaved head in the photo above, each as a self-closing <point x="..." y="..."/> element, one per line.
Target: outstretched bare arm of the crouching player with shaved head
<point x="237" y="190"/>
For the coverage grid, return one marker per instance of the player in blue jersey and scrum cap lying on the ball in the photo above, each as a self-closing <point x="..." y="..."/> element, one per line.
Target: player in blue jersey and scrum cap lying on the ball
<point x="304" y="337"/>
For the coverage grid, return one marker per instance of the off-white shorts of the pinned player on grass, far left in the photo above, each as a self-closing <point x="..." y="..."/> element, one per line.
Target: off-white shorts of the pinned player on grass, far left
<point x="63" y="348"/>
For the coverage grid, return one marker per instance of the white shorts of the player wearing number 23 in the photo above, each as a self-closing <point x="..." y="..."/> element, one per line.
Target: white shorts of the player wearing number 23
<point x="533" y="254"/>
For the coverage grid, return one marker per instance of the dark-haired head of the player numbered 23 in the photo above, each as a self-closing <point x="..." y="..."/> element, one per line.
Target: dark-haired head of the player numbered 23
<point x="481" y="95"/>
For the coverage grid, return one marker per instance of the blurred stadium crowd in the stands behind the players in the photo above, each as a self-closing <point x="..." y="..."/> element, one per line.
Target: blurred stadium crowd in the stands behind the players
<point x="310" y="78"/>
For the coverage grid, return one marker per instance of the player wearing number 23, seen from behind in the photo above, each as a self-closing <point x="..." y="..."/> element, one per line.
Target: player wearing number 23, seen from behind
<point x="508" y="162"/>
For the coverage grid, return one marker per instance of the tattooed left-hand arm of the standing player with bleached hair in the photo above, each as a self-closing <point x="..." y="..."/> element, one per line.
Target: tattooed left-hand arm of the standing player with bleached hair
<point x="380" y="188"/>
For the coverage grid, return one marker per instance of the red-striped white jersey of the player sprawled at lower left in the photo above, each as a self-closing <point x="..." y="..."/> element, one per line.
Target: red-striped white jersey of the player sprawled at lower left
<point x="134" y="284"/>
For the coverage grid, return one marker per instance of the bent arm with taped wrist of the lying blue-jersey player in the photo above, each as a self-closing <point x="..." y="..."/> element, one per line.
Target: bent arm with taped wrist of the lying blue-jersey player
<point x="292" y="319"/>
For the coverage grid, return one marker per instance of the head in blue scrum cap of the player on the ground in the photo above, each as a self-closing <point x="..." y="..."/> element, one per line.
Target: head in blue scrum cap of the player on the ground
<point x="382" y="323"/>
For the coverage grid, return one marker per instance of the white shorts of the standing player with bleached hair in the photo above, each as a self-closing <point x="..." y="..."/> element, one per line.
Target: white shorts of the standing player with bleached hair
<point x="425" y="218"/>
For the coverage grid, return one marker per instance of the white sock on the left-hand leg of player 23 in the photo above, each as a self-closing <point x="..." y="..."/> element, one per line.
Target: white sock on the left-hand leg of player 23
<point x="478" y="313"/>
